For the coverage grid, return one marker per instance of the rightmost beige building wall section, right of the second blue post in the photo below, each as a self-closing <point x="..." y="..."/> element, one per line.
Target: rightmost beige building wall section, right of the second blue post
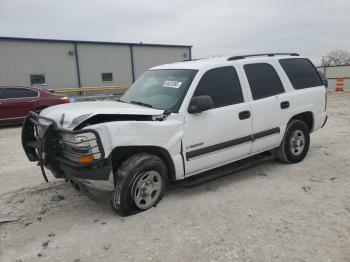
<point x="146" y="56"/>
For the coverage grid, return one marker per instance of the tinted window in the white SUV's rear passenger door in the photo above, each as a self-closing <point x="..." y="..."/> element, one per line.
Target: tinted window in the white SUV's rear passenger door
<point x="263" y="80"/>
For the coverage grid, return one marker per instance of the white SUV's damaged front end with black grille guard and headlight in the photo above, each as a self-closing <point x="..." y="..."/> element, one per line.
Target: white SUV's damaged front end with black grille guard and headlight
<point x="69" y="154"/>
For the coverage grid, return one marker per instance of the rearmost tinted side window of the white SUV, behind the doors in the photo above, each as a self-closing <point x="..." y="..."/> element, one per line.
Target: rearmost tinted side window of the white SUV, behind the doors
<point x="301" y="73"/>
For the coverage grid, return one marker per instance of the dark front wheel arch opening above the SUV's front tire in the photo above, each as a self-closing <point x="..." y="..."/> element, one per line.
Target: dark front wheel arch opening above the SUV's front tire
<point x="119" y="154"/>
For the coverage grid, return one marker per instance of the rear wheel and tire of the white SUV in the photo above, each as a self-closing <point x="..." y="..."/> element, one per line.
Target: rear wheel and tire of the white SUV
<point x="295" y="143"/>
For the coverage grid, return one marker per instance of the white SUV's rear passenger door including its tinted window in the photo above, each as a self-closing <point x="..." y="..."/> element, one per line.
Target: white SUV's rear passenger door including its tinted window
<point x="272" y="105"/>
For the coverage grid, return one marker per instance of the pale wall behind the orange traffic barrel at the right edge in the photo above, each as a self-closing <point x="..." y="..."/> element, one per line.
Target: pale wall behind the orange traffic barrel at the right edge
<point x="333" y="73"/>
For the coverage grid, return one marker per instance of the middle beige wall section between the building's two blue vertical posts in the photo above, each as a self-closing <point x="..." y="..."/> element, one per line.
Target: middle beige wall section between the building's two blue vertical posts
<point x="97" y="59"/>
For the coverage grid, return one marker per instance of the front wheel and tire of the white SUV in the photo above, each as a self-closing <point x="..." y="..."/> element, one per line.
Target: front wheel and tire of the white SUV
<point x="140" y="184"/>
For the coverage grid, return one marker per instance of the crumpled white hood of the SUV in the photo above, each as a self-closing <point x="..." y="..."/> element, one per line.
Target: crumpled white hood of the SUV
<point x="73" y="114"/>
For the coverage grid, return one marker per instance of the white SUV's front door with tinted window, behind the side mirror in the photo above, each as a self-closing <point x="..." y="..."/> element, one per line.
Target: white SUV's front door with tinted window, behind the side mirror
<point x="222" y="134"/>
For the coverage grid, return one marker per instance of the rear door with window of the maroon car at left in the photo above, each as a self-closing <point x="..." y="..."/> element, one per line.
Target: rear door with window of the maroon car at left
<point x="18" y="102"/>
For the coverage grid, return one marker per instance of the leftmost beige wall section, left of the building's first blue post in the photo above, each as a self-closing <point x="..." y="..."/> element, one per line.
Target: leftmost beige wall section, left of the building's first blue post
<point x="19" y="59"/>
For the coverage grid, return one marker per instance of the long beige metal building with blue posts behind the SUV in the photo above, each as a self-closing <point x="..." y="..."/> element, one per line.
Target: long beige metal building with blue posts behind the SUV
<point x="66" y="63"/>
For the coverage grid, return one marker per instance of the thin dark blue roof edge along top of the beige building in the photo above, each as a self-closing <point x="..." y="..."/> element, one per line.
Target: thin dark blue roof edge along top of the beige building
<point x="89" y="42"/>
